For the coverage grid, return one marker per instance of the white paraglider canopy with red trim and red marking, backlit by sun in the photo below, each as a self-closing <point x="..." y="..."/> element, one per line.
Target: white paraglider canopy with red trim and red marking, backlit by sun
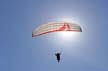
<point x="56" y="27"/>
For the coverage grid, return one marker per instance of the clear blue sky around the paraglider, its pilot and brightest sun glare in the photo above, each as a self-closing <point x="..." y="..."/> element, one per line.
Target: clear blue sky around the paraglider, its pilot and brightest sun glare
<point x="20" y="52"/>
